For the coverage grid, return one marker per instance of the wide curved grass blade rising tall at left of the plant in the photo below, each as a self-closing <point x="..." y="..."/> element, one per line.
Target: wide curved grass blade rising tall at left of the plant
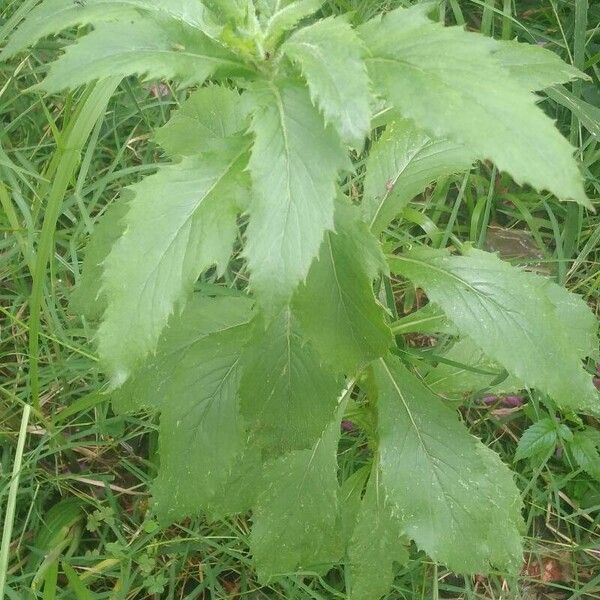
<point x="67" y="157"/>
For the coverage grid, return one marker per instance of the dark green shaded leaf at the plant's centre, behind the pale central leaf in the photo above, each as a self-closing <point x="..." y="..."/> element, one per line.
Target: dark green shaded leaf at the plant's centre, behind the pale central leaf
<point x="336" y="306"/>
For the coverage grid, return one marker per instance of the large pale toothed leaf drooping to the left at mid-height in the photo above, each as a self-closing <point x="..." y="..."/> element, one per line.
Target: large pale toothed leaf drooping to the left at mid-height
<point x="181" y="221"/>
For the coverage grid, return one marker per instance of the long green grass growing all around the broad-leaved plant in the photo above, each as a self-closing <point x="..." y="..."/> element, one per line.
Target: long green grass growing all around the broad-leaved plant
<point x="76" y="519"/>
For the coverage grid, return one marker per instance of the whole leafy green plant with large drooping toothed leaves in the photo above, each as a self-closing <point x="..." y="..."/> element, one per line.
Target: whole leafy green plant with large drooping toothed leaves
<point x="252" y="380"/>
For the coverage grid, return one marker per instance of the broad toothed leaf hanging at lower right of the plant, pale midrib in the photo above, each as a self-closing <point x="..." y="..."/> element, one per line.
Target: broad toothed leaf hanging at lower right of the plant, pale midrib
<point x="449" y="490"/>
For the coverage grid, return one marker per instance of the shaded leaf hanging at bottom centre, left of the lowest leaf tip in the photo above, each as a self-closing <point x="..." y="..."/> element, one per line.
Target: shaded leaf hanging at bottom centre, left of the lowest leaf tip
<point x="295" y="516"/>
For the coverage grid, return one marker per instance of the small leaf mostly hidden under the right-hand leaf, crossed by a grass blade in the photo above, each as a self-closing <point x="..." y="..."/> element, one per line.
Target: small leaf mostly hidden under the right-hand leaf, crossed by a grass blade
<point x="446" y="378"/>
